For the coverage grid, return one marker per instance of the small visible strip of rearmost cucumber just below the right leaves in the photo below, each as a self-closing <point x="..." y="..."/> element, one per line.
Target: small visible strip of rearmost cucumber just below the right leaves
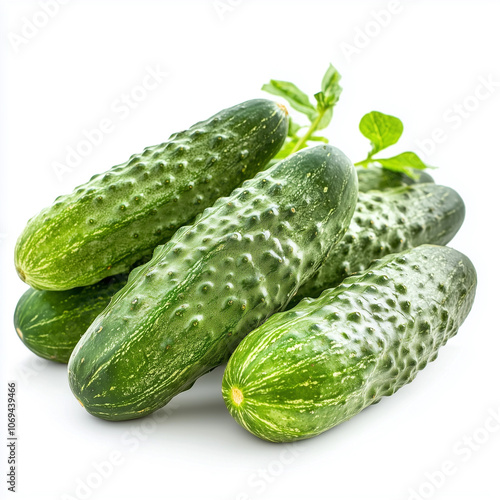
<point x="379" y="179"/>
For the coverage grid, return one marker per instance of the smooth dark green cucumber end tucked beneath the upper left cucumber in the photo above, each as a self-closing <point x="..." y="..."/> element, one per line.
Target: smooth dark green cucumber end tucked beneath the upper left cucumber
<point x="51" y="323"/>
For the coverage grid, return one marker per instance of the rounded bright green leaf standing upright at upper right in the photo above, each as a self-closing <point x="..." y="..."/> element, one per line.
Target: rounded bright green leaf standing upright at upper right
<point x="382" y="130"/>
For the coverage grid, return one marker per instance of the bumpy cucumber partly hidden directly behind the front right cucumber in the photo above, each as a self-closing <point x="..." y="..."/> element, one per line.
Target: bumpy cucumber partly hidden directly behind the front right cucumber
<point x="389" y="222"/>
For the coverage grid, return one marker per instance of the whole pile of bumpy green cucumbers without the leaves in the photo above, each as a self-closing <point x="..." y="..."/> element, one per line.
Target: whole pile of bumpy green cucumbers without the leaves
<point x="325" y="286"/>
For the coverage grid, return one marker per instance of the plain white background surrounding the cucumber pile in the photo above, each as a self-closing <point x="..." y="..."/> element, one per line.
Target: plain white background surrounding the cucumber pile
<point x="428" y="58"/>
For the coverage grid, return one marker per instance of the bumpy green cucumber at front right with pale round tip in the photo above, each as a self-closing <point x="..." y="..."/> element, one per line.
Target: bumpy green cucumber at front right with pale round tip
<point x="306" y="370"/>
